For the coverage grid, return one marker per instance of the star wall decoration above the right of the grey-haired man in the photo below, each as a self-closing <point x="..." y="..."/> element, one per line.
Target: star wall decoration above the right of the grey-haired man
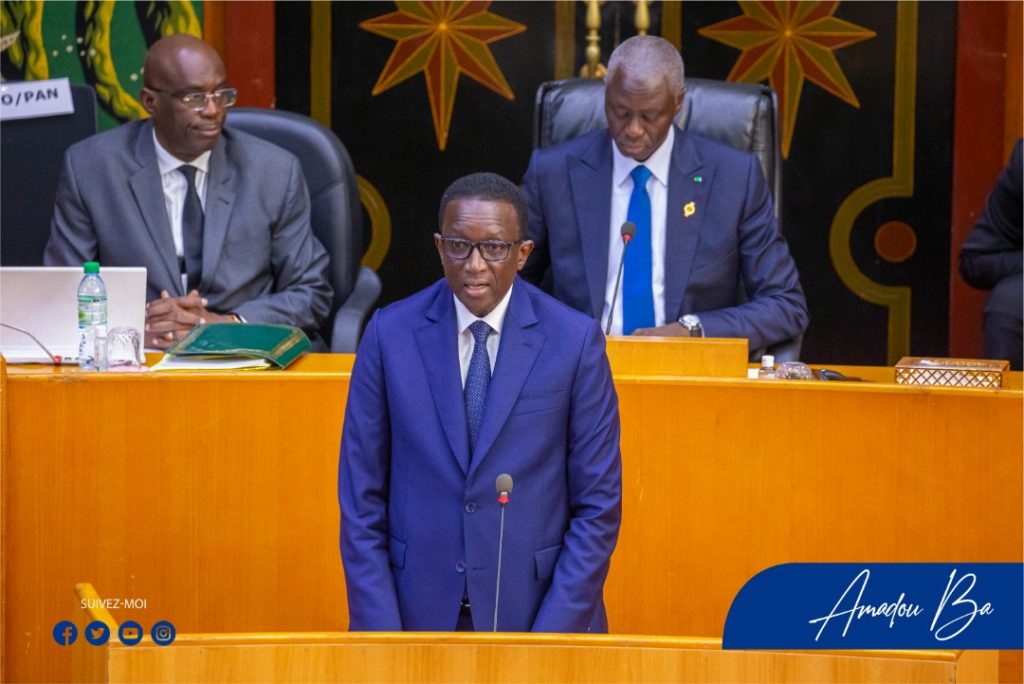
<point x="788" y="44"/>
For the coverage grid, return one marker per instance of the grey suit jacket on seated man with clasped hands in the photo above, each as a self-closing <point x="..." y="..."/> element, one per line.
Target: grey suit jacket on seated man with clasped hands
<point x="261" y="259"/>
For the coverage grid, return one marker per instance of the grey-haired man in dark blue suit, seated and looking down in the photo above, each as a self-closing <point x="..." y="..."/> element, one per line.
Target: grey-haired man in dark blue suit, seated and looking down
<point x="707" y="260"/>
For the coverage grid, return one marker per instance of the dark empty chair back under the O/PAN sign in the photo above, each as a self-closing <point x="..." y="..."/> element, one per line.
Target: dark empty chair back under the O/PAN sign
<point x="33" y="155"/>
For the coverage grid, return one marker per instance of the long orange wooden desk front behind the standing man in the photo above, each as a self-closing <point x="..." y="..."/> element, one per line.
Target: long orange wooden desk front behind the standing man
<point x="214" y="496"/>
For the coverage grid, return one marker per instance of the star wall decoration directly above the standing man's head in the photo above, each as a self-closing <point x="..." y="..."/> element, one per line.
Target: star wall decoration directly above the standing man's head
<point x="443" y="40"/>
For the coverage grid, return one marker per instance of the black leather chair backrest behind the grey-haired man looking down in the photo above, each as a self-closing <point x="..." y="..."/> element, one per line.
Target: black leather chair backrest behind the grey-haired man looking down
<point x="740" y="115"/>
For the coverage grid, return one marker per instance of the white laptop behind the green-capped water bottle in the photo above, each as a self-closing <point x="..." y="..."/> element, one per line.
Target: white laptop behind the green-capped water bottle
<point x="44" y="301"/>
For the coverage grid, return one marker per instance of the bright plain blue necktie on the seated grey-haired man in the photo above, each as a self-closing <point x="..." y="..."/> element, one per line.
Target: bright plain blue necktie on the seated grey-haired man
<point x="638" y="297"/>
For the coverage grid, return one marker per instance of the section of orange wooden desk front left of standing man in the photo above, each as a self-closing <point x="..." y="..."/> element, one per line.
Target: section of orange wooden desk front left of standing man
<point x="210" y="497"/>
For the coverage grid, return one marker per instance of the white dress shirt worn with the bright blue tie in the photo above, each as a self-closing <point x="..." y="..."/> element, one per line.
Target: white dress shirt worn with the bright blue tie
<point x="622" y="189"/>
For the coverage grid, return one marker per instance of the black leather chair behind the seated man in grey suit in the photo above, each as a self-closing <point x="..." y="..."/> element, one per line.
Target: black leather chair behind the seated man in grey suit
<point x="335" y="213"/>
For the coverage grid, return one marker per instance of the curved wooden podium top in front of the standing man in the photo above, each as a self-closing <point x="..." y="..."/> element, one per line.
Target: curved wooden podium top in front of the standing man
<point x="526" y="659"/>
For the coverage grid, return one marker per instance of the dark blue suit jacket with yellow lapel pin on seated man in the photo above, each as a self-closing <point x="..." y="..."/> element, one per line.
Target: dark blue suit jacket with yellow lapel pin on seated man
<point x="727" y="263"/>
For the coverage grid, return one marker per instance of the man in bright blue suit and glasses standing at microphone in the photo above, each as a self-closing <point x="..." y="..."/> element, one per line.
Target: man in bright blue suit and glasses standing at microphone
<point x="479" y="375"/>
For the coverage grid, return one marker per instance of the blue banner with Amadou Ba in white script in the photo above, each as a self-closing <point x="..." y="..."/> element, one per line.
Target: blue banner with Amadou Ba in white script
<point x="880" y="606"/>
